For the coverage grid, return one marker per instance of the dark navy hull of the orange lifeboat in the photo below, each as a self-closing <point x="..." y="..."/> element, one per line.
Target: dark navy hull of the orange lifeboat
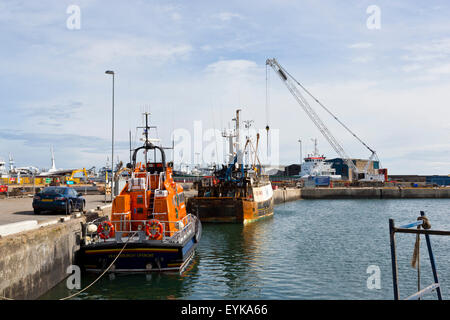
<point x="138" y="257"/>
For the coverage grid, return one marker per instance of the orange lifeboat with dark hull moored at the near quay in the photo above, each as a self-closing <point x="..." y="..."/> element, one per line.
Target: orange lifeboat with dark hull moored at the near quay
<point x="149" y="228"/>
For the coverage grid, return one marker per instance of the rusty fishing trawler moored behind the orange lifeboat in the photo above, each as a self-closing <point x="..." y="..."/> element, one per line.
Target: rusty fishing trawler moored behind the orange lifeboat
<point x="236" y="192"/>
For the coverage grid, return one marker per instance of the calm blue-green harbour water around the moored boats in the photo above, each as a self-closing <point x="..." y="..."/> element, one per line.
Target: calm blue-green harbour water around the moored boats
<point x="309" y="249"/>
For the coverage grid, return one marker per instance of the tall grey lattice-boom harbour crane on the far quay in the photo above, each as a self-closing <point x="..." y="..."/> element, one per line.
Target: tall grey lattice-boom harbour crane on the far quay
<point x="293" y="85"/>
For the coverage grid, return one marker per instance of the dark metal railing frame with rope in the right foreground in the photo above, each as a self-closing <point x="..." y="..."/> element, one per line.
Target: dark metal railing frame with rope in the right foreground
<point x="422" y="227"/>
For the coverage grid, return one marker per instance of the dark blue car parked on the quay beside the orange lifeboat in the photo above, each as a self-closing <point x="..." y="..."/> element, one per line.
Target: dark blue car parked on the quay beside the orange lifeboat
<point x="63" y="199"/>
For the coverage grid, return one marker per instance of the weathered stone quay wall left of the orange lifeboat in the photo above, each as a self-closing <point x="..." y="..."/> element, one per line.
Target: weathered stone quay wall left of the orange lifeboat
<point x="33" y="262"/>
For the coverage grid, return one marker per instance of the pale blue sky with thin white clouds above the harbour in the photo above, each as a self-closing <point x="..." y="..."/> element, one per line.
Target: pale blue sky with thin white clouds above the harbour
<point x="384" y="73"/>
